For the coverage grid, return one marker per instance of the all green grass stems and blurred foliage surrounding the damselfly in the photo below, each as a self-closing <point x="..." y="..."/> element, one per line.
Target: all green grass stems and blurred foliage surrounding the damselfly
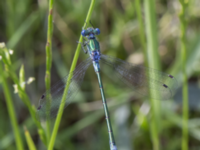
<point x="39" y="47"/>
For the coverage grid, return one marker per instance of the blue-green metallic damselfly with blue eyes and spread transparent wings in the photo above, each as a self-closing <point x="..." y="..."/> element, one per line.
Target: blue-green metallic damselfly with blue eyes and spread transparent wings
<point x="139" y="78"/>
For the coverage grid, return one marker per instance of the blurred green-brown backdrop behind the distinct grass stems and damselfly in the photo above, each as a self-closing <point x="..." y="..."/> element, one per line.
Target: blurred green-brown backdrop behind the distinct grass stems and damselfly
<point x="23" y="27"/>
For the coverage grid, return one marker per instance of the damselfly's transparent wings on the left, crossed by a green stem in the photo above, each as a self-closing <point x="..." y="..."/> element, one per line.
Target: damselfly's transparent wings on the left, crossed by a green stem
<point x="54" y="95"/>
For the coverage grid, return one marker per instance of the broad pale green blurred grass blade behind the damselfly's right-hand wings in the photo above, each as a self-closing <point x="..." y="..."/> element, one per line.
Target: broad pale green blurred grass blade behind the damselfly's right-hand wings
<point x="153" y="62"/>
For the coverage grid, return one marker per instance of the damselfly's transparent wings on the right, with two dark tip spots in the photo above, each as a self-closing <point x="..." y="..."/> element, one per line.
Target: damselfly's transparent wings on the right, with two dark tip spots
<point x="141" y="79"/>
